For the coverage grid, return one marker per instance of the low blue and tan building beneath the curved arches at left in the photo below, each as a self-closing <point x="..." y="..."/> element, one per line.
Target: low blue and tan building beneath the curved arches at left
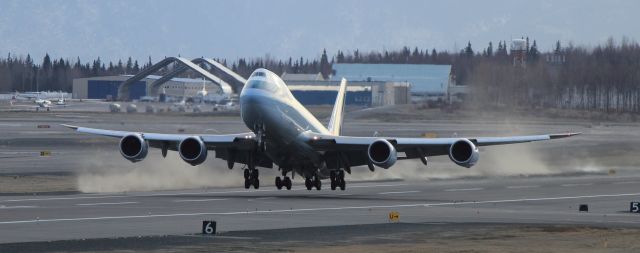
<point x="106" y="87"/>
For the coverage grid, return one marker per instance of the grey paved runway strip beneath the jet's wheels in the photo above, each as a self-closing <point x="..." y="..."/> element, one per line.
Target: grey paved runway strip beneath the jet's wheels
<point x="550" y="200"/>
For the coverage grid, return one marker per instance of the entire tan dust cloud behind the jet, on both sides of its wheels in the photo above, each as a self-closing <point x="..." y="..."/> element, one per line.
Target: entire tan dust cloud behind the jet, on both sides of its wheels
<point x="109" y="172"/>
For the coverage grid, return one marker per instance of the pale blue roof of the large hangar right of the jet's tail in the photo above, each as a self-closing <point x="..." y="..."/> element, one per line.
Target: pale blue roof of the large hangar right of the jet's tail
<point x="424" y="78"/>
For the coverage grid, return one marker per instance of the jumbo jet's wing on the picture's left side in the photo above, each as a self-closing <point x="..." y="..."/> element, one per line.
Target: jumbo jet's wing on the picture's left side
<point x="235" y="147"/>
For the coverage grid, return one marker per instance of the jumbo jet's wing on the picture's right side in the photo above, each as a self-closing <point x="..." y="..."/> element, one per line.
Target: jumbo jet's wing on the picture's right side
<point x="354" y="149"/>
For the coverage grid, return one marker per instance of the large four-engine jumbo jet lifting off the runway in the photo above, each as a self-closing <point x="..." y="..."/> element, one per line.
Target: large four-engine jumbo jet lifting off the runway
<point x="285" y="134"/>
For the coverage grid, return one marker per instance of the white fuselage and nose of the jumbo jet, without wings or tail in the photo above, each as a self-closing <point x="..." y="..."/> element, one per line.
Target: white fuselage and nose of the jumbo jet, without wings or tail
<point x="268" y="108"/>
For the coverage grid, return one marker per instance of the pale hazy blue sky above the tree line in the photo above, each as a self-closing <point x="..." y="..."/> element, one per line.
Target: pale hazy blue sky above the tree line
<point x="279" y="29"/>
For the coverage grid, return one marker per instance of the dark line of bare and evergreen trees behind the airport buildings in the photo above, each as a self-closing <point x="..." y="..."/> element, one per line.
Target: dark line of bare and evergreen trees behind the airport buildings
<point x="605" y="77"/>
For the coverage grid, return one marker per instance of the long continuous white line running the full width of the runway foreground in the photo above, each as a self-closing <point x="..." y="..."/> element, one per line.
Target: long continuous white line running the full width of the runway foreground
<point x="324" y="209"/>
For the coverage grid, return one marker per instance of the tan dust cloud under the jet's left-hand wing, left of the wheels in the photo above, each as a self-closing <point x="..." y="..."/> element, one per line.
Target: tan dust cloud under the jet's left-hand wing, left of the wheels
<point x="111" y="173"/>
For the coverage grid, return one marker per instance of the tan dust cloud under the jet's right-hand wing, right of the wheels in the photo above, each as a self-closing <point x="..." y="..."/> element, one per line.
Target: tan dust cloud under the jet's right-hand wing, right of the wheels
<point x="524" y="159"/>
